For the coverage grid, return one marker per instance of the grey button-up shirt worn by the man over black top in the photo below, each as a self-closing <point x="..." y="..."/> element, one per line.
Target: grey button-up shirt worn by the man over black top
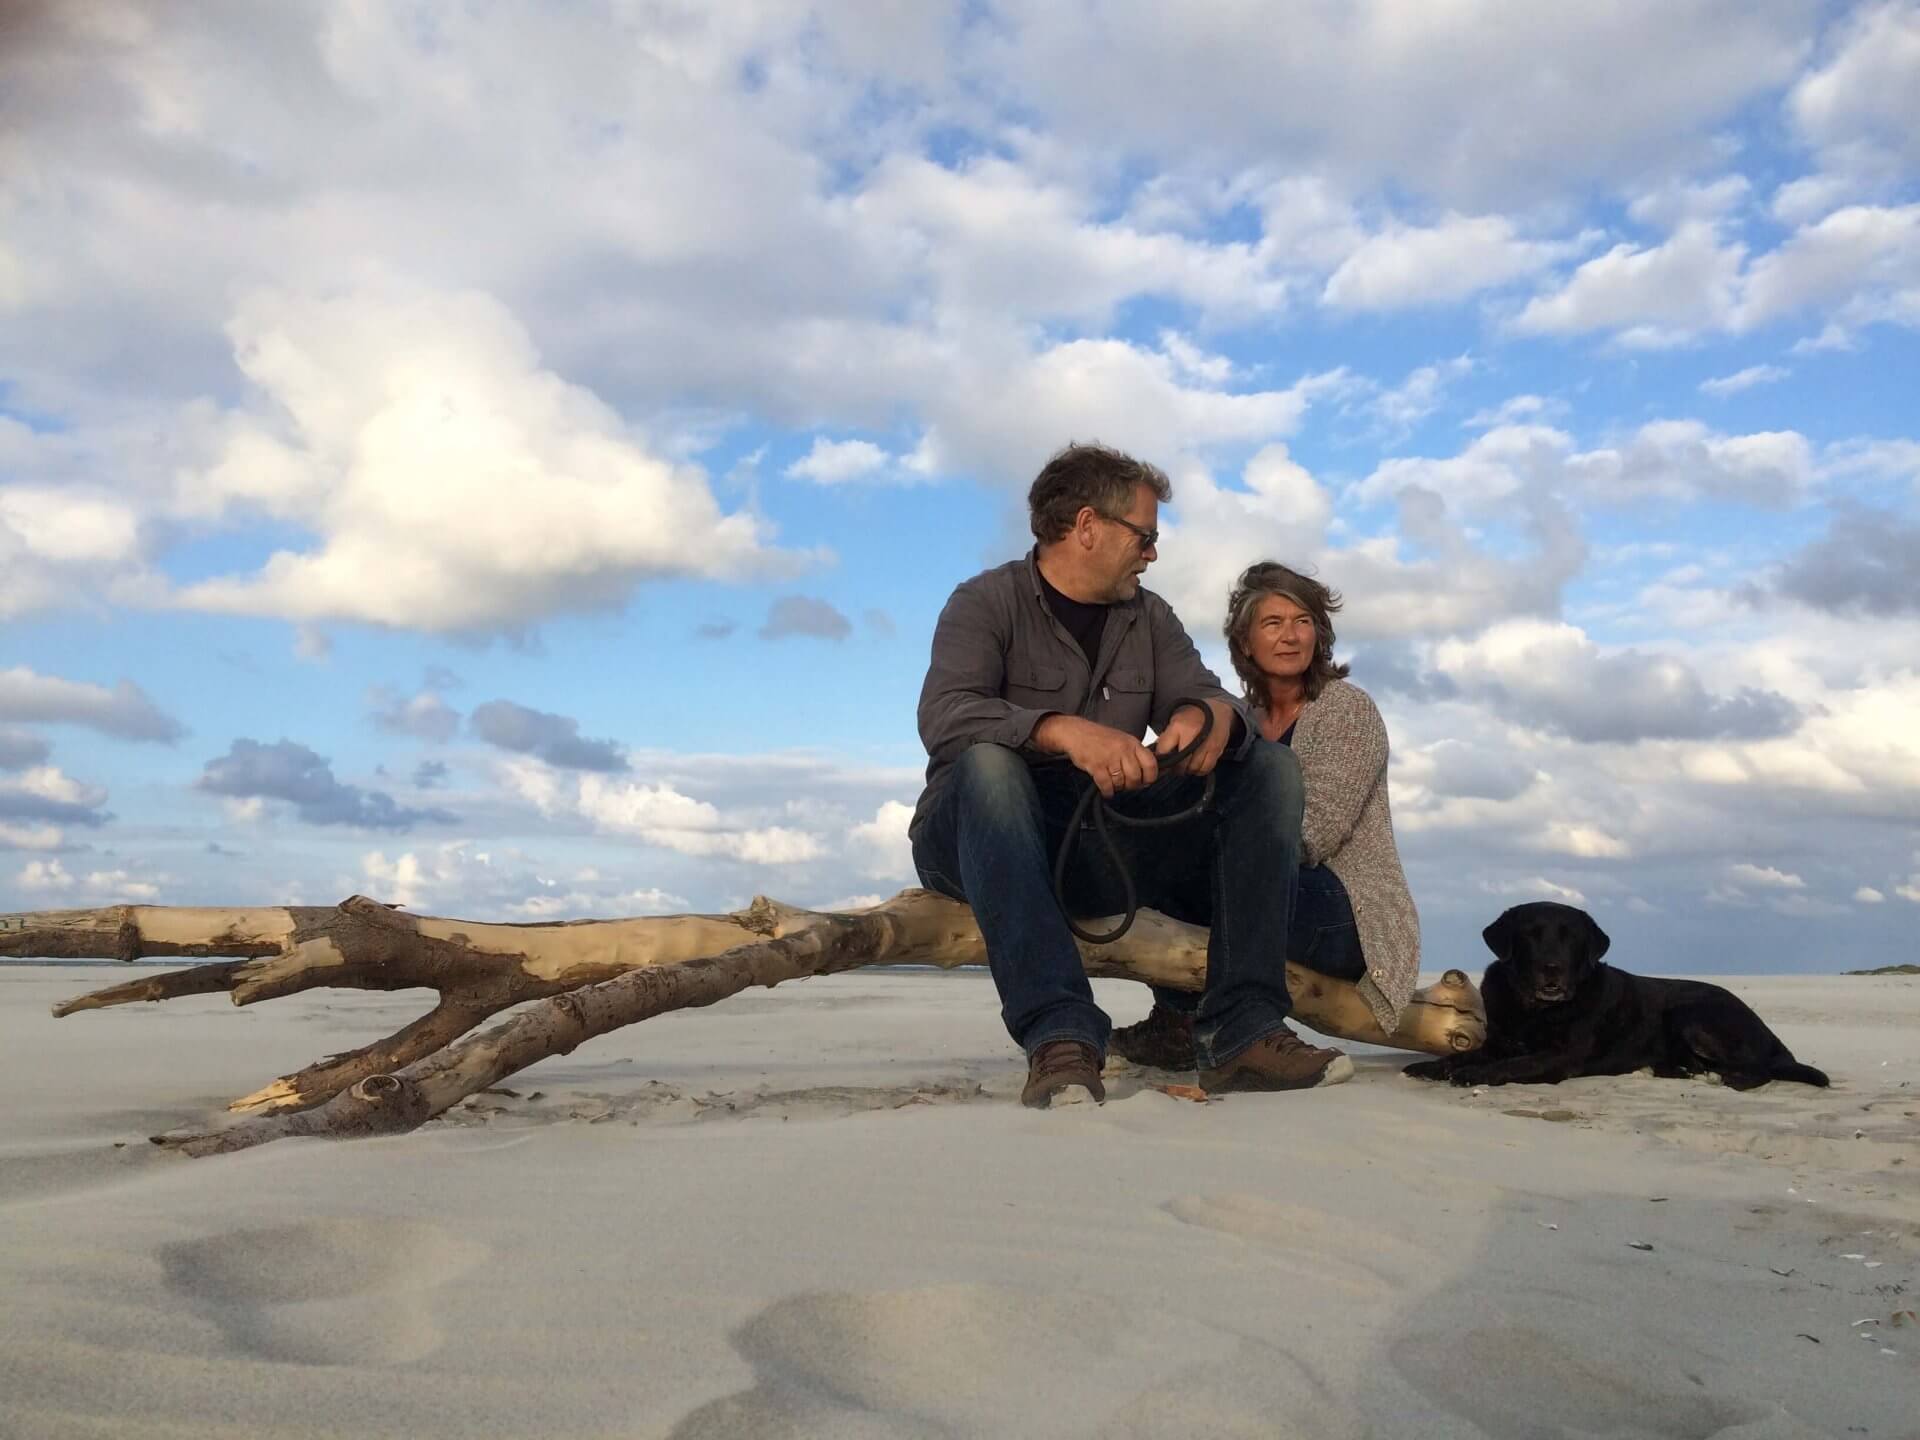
<point x="1003" y="661"/>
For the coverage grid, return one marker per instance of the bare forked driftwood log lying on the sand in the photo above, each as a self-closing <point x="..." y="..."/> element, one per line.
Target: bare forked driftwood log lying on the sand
<point x="588" y="978"/>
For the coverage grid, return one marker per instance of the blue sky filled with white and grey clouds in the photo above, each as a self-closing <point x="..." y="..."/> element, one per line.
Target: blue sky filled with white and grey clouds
<point x="510" y="460"/>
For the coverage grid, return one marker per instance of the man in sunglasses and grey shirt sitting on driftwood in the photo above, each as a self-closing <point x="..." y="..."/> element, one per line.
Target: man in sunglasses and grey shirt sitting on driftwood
<point x="1045" y="677"/>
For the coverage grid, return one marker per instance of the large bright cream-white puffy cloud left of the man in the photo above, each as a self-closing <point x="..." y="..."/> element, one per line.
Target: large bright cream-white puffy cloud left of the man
<point x="452" y="483"/>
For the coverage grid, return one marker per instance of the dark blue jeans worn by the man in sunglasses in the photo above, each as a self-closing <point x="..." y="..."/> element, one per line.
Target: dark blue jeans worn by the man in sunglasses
<point x="992" y="842"/>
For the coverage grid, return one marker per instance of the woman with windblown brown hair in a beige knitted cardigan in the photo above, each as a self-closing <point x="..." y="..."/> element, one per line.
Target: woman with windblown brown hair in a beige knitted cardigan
<point x="1353" y="917"/>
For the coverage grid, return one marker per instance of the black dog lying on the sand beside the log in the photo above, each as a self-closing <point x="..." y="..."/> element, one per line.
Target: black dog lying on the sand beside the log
<point x="1554" y="1011"/>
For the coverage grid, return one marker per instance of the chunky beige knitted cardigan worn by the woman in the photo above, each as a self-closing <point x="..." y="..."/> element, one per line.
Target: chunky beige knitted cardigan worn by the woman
<point x="1349" y="828"/>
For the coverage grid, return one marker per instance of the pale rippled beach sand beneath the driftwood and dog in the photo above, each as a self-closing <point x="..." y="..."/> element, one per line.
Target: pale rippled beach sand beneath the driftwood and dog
<point x="821" y="1212"/>
